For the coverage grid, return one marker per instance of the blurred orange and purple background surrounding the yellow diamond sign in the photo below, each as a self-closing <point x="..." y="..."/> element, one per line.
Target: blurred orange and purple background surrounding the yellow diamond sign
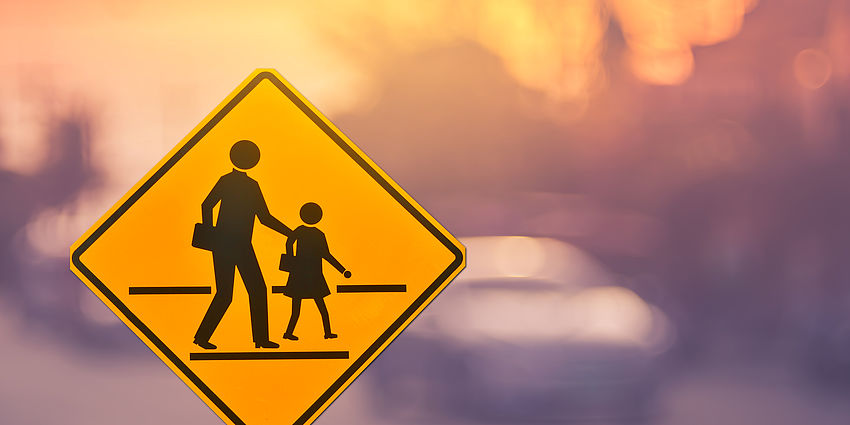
<point x="651" y="192"/>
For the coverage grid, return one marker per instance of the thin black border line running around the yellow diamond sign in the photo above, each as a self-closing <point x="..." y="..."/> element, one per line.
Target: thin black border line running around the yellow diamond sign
<point x="370" y="352"/>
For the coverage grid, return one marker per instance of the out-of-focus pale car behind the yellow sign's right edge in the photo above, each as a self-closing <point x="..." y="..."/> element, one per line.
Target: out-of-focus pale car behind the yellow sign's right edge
<point x="533" y="330"/>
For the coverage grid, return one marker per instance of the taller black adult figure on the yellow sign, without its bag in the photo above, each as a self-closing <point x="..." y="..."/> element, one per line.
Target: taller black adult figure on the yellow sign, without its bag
<point x="241" y="202"/>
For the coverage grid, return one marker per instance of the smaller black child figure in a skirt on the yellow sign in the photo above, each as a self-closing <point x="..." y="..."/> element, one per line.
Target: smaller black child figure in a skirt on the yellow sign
<point x="306" y="279"/>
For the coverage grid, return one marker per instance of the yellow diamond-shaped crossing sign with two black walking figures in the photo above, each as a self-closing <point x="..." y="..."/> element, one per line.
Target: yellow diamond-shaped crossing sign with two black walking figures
<point x="266" y="260"/>
